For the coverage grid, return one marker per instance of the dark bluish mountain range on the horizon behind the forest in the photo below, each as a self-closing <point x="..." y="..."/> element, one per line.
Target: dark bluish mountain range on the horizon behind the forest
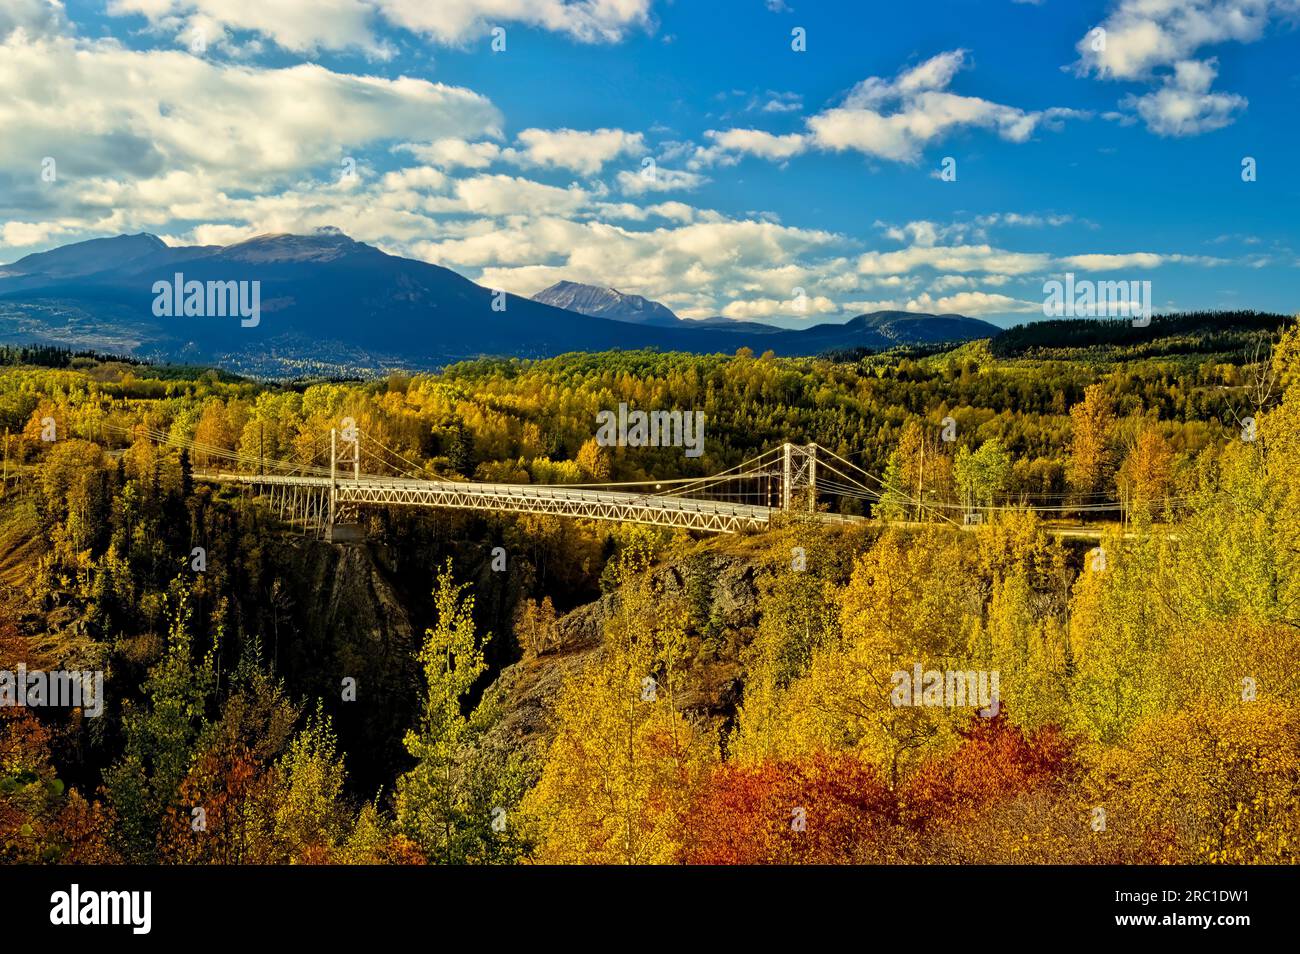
<point x="330" y="305"/>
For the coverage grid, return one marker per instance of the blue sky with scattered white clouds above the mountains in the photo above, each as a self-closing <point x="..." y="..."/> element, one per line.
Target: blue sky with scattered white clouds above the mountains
<point x="791" y="187"/>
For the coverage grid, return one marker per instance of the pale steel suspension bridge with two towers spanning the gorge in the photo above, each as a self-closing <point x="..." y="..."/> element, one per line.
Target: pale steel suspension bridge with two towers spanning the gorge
<point x="328" y="498"/>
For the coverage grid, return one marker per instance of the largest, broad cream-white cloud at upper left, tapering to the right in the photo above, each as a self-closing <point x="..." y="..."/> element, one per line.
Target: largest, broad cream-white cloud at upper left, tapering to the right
<point x="103" y="110"/>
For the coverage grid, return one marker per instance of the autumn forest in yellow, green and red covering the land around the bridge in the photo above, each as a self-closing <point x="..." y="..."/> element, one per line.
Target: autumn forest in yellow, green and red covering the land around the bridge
<point x="636" y="696"/>
